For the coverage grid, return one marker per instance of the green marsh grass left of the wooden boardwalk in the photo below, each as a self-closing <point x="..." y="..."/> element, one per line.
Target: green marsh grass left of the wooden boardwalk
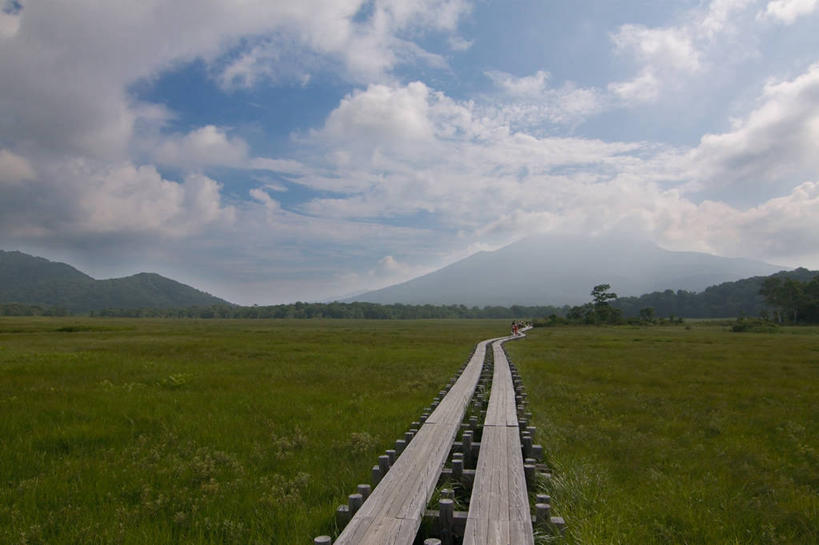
<point x="205" y="432"/>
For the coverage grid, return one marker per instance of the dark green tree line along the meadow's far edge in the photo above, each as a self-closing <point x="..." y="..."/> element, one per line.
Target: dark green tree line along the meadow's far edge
<point x="785" y="297"/>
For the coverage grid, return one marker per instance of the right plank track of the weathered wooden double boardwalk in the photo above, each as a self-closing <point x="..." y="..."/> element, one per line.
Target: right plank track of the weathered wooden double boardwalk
<point x="499" y="508"/>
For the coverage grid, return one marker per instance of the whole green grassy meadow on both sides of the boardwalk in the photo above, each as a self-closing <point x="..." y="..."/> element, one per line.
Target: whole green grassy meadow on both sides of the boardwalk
<point x="223" y="432"/>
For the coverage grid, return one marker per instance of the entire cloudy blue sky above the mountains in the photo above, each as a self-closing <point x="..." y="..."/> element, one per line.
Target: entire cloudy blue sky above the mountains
<point x="269" y="151"/>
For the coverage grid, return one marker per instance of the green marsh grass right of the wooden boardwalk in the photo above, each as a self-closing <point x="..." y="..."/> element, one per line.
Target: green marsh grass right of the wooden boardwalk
<point x="678" y="435"/>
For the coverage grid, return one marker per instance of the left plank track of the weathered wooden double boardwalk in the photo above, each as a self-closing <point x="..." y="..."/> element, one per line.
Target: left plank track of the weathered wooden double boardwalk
<point x="393" y="512"/>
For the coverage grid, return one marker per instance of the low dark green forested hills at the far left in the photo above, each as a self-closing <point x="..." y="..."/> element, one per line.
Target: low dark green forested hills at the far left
<point x="37" y="281"/>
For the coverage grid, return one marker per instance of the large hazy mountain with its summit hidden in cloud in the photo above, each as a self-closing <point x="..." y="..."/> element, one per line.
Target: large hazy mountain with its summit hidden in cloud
<point x="561" y="270"/>
